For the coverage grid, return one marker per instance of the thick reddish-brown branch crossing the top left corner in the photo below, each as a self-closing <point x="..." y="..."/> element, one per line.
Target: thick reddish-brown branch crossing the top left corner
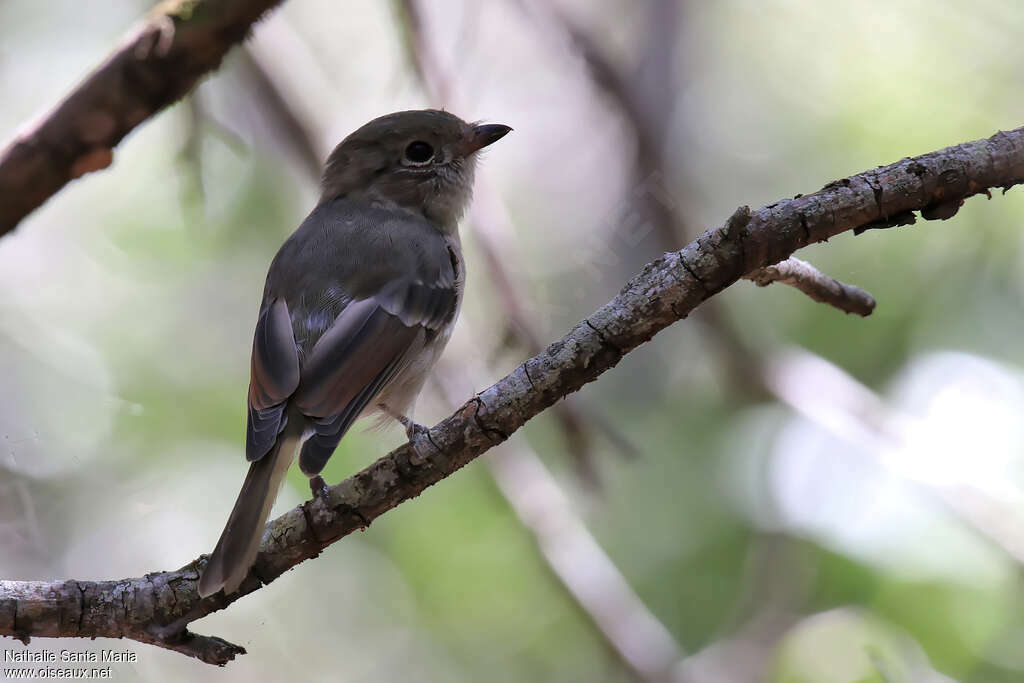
<point x="158" y="63"/>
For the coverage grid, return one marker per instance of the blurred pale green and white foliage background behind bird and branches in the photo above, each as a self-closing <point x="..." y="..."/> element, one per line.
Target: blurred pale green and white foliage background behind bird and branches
<point x="771" y="491"/>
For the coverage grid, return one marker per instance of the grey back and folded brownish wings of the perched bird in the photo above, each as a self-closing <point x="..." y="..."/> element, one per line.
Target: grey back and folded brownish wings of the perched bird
<point x="352" y="298"/>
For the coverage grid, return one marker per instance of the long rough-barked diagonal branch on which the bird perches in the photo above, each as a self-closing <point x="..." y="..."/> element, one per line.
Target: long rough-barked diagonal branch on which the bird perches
<point x="157" y="609"/>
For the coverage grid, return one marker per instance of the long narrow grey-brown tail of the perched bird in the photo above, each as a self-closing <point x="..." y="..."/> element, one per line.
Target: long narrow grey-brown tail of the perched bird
<point x="240" y="541"/>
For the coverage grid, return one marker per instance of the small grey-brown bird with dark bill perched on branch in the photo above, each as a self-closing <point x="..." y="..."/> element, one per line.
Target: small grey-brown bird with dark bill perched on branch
<point x="359" y="305"/>
